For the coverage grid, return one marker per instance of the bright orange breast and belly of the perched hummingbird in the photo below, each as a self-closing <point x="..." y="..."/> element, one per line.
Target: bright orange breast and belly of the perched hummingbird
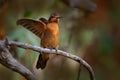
<point x="51" y="36"/>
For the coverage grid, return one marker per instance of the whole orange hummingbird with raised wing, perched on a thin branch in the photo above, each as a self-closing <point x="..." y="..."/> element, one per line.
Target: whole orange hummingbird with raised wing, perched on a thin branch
<point x="47" y="31"/>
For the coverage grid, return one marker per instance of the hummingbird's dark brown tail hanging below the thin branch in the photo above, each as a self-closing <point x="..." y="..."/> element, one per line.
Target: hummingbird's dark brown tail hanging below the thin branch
<point x="42" y="61"/>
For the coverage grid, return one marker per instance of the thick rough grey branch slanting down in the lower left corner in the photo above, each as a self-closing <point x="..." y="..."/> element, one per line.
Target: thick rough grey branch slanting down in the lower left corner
<point x="8" y="61"/>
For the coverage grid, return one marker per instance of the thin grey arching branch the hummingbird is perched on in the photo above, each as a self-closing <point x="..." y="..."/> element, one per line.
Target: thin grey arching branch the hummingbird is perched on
<point x="59" y="52"/>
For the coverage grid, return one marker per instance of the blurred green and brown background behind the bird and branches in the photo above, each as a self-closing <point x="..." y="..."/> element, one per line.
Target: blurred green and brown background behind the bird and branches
<point x="89" y="32"/>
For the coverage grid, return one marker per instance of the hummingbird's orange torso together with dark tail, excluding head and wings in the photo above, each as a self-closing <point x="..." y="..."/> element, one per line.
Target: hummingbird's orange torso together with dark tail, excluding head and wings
<point x="49" y="39"/>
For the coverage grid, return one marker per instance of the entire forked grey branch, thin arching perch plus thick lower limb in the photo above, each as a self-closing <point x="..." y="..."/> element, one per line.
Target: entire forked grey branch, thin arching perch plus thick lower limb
<point x="16" y="66"/>
